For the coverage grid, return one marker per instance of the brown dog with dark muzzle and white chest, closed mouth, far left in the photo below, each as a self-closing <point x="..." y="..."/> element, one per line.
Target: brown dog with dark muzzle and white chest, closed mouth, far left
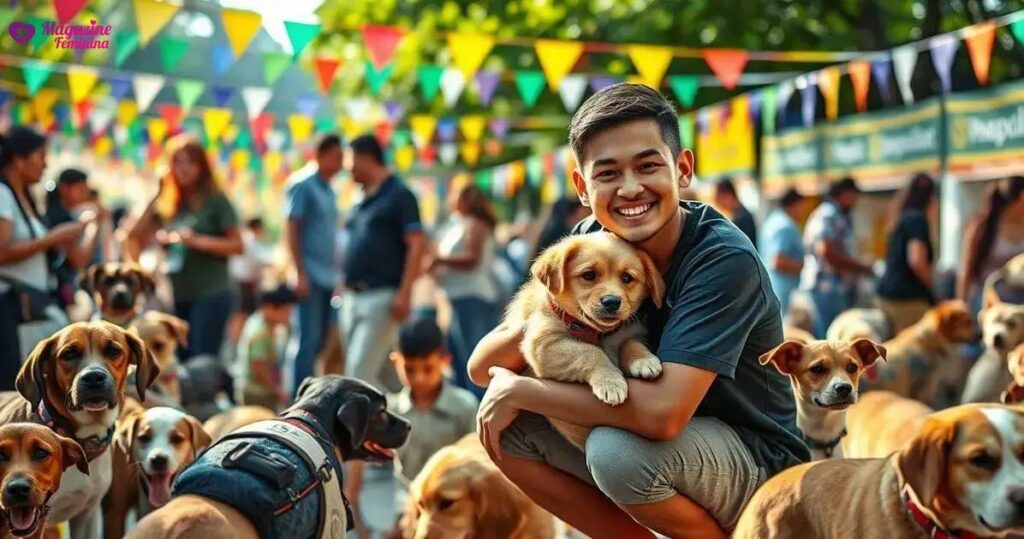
<point x="75" y="383"/>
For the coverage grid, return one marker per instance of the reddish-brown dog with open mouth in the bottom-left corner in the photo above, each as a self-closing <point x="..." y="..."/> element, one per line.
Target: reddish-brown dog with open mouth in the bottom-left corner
<point x="34" y="461"/>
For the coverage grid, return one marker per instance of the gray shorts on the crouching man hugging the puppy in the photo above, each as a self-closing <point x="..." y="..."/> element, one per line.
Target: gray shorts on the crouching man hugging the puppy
<point x="707" y="463"/>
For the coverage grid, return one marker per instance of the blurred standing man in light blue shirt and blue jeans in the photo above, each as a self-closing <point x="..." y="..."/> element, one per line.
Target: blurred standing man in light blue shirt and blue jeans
<point x="313" y="218"/>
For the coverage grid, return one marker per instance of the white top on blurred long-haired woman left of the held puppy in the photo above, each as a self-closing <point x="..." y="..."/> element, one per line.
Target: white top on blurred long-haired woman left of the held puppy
<point x="458" y="283"/>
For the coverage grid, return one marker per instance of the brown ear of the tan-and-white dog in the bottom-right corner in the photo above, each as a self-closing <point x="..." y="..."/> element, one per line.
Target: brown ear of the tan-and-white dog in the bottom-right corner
<point x="922" y="464"/>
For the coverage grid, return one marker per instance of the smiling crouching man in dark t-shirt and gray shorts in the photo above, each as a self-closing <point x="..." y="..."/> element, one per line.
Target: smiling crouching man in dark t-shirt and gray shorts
<point x="686" y="452"/>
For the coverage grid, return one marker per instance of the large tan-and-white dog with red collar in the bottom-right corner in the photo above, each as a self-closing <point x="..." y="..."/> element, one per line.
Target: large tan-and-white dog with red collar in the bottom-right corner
<point x="959" y="477"/>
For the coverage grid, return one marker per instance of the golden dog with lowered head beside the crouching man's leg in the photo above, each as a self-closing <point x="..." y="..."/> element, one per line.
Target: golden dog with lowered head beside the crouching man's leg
<point x="461" y="494"/>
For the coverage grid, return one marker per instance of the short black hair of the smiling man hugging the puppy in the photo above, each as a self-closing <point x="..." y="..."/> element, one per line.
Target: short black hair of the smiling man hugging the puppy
<point x="620" y="104"/>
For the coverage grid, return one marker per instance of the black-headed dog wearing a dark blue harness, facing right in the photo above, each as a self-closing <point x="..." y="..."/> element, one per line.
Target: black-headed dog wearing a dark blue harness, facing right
<point x="250" y="485"/>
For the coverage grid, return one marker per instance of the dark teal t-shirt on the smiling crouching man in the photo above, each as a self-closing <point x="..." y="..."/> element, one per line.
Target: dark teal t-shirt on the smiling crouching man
<point x="720" y="315"/>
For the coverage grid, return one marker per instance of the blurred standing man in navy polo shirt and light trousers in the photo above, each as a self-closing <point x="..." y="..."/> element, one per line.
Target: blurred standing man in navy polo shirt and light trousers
<point x="382" y="260"/>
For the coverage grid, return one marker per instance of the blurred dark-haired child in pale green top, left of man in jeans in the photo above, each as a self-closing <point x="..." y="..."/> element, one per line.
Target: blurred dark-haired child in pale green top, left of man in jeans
<point x="261" y="350"/>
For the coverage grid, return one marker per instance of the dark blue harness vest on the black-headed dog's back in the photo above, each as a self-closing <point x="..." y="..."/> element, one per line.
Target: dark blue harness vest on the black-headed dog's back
<point x="281" y="474"/>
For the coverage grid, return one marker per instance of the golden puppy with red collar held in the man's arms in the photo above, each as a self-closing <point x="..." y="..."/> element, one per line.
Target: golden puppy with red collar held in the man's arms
<point x="578" y="313"/>
